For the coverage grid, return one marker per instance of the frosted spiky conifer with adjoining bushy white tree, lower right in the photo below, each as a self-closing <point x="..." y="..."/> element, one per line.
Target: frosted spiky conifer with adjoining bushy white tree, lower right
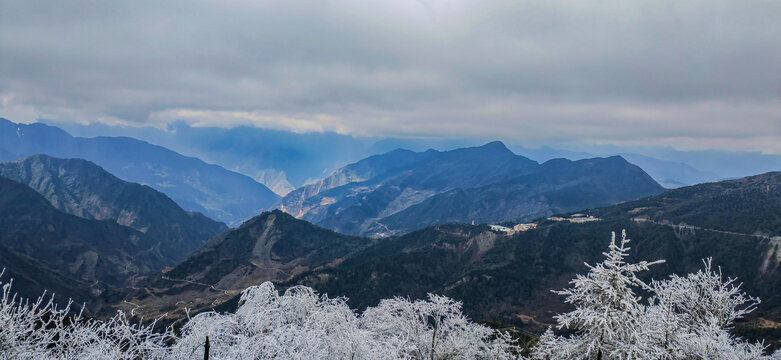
<point x="685" y="317"/>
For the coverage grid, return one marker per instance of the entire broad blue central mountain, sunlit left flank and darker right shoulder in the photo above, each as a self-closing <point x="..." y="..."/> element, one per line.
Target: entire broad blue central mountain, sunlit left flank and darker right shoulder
<point x="401" y="191"/>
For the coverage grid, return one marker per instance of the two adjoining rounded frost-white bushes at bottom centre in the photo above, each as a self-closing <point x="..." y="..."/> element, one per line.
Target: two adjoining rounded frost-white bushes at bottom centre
<point x="301" y="324"/>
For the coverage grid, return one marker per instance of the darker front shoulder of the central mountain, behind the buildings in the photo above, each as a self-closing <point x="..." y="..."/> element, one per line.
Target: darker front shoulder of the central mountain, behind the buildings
<point x="556" y="186"/>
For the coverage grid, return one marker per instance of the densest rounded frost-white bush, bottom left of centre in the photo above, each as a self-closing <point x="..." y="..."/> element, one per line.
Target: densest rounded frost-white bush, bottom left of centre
<point x="297" y="325"/>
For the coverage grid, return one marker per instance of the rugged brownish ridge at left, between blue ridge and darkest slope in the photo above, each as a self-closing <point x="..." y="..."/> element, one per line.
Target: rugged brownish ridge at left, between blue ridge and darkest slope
<point x="81" y="188"/>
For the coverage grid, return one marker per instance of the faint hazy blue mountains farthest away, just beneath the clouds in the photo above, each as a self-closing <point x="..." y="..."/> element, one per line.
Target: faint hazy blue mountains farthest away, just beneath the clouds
<point x="284" y="160"/>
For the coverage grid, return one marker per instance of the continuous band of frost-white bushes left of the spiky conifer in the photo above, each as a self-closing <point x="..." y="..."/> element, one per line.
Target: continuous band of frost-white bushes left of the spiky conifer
<point x="299" y="324"/>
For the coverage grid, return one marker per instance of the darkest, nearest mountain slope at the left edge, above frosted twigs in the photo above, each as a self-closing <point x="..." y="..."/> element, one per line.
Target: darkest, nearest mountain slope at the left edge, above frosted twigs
<point x="100" y="253"/>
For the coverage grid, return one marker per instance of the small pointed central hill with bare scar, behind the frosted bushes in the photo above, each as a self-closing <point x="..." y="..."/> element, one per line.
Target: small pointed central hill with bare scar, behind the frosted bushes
<point x="273" y="246"/>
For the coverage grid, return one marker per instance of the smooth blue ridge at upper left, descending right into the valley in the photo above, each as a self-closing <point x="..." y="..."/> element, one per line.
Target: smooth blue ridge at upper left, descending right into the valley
<point x="195" y="185"/>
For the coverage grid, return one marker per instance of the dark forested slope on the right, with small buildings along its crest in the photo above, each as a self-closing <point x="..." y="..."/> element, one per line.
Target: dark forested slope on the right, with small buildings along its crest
<point x="507" y="278"/>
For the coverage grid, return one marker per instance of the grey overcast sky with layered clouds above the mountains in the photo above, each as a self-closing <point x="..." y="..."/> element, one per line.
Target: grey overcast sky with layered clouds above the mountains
<point x="687" y="74"/>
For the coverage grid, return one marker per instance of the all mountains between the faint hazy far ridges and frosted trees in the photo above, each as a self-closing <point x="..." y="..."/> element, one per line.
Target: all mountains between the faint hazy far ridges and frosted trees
<point x="403" y="223"/>
